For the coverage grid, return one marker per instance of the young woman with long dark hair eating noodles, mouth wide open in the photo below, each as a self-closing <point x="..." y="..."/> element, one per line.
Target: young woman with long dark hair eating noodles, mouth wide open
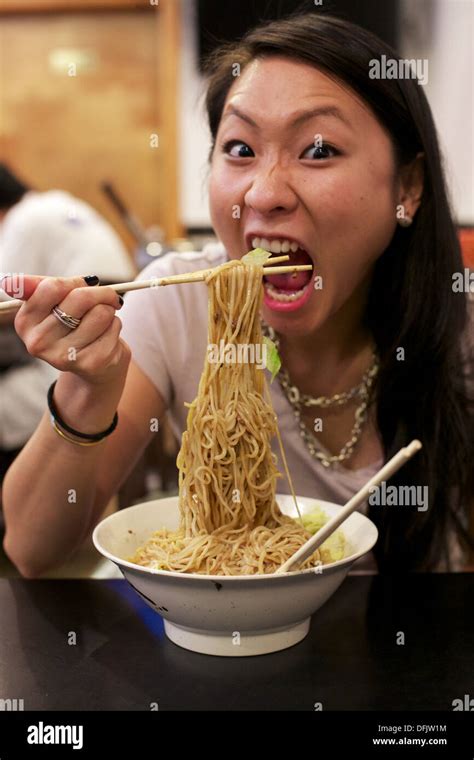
<point x="313" y="156"/>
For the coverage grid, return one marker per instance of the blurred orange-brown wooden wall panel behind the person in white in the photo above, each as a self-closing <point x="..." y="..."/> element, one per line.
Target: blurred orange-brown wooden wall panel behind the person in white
<point x="72" y="132"/>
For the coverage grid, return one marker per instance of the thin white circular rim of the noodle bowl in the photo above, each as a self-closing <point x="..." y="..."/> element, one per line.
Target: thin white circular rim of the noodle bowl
<point x="229" y="578"/>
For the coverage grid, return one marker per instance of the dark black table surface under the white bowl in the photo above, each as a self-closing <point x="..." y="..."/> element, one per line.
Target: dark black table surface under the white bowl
<point x="350" y="660"/>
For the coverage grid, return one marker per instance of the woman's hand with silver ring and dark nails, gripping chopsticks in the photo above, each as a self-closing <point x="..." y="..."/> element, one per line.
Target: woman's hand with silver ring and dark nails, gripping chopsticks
<point x="93" y="351"/>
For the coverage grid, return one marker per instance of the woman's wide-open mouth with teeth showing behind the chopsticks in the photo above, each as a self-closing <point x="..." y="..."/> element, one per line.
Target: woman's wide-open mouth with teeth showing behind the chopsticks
<point x="286" y="292"/>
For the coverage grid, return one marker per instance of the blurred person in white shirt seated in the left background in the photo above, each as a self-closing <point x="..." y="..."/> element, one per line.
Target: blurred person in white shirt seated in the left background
<point x="48" y="233"/>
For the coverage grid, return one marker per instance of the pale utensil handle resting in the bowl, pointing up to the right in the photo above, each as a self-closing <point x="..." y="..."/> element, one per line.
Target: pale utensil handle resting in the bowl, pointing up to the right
<point x="384" y="473"/>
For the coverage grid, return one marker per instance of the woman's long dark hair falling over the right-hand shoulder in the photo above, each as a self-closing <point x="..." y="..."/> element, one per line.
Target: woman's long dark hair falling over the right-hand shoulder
<point x="411" y="305"/>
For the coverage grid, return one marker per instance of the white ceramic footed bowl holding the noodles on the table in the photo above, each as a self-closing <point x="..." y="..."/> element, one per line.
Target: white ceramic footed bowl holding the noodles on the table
<point x="229" y="615"/>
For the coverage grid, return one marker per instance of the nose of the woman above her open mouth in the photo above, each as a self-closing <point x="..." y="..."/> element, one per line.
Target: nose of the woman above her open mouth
<point x="270" y="191"/>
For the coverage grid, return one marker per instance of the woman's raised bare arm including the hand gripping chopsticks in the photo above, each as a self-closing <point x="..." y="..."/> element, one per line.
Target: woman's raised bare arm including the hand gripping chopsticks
<point x="55" y="489"/>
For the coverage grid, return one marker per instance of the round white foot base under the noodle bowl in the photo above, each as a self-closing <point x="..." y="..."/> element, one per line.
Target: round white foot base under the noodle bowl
<point x="235" y="644"/>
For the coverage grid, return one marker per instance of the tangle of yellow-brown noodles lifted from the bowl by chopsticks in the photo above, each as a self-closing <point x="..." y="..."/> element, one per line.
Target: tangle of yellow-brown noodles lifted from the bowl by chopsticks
<point x="230" y="522"/>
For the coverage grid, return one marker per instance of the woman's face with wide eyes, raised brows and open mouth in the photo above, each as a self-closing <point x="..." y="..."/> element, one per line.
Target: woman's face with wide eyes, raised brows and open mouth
<point x="300" y="159"/>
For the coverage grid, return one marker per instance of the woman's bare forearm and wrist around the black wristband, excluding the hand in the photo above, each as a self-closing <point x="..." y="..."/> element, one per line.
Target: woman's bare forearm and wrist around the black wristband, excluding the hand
<point x="55" y="491"/>
